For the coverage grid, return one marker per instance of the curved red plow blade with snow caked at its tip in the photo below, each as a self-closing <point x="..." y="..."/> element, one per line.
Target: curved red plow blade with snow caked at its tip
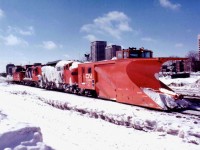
<point x="140" y="86"/>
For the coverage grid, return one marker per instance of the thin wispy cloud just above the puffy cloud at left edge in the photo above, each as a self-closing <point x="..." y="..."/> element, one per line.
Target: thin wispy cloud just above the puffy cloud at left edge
<point x="27" y="31"/>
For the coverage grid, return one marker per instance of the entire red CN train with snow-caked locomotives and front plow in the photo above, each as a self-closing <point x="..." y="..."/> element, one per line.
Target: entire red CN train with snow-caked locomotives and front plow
<point x="130" y="78"/>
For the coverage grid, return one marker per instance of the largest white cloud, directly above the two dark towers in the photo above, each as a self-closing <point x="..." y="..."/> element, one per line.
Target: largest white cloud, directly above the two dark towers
<point x="113" y="23"/>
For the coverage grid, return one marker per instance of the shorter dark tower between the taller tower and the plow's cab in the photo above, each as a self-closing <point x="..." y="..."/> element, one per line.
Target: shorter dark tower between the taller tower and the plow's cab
<point x="111" y="51"/>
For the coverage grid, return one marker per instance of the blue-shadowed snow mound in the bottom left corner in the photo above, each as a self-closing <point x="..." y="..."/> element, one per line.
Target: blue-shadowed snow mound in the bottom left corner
<point x="20" y="136"/>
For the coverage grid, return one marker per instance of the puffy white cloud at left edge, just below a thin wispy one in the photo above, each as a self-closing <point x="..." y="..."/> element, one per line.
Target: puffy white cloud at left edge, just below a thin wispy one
<point x="12" y="40"/>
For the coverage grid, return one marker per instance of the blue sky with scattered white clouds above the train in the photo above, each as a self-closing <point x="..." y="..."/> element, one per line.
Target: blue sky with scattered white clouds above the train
<point x="47" y="30"/>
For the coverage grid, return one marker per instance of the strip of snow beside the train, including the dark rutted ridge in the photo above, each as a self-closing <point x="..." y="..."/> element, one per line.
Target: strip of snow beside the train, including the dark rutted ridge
<point x="124" y="115"/>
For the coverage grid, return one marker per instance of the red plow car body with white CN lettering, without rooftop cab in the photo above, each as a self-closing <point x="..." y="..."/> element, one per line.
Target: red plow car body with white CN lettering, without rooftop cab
<point x="130" y="81"/>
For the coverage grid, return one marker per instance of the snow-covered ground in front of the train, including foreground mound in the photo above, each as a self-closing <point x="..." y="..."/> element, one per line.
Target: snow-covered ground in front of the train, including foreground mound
<point x="33" y="118"/>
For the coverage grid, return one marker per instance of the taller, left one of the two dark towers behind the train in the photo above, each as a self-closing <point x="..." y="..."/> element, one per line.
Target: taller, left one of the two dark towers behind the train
<point x="98" y="50"/>
